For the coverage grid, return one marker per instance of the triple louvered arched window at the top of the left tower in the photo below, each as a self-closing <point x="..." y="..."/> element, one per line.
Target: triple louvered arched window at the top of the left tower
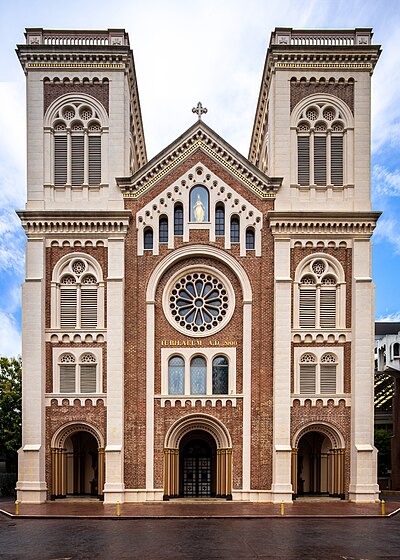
<point x="77" y="145"/>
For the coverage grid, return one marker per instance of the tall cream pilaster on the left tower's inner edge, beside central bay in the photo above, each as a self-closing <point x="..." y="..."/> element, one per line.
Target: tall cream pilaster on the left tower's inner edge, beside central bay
<point x="114" y="484"/>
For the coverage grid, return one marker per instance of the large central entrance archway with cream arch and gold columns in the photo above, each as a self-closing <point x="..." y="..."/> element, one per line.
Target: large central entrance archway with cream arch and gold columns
<point x="198" y="459"/>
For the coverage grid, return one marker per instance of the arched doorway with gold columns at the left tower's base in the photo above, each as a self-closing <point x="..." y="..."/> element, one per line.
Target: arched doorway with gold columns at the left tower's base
<point x="77" y="466"/>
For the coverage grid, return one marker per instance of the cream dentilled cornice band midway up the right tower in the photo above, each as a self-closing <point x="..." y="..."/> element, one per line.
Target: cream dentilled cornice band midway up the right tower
<point x="345" y="224"/>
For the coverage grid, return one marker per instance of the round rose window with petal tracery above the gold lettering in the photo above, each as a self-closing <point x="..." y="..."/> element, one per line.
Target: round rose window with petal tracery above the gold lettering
<point x="199" y="302"/>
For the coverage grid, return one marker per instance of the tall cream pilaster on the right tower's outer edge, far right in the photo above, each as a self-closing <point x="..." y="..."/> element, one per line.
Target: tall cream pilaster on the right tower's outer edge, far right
<point x="363" y="454"/>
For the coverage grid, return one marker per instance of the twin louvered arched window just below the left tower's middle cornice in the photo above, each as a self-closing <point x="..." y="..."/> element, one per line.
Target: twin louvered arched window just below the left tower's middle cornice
<point x="78" y="296"/>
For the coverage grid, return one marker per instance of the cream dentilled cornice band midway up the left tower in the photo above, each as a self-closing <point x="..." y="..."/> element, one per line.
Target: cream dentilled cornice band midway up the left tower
<point x="45" y="223"/>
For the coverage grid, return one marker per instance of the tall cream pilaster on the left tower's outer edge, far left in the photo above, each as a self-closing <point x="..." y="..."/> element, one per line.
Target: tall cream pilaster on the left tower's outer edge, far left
<point x="31" y="485"/>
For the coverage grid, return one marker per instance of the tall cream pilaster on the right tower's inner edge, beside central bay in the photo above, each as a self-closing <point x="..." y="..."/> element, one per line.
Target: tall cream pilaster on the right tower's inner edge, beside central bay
<point x="282" y="452"/>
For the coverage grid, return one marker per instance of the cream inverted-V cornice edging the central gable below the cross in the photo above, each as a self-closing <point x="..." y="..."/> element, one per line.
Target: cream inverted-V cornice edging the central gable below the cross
<point x="199" y="137"/>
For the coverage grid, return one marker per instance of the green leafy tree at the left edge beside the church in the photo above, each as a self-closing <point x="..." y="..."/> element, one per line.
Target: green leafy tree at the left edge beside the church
<point x="10" y="409"/>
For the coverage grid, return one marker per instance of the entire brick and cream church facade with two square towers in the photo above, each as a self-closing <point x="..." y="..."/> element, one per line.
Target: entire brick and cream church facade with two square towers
<point x="200" y="324"/>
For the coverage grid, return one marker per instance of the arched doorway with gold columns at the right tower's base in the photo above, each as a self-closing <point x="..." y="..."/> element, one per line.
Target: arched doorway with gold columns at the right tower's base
<point x="318" y="463"/>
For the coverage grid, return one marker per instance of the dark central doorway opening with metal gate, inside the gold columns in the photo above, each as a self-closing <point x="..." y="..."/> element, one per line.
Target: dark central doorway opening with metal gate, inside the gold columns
<point x="197" y="460"/>
